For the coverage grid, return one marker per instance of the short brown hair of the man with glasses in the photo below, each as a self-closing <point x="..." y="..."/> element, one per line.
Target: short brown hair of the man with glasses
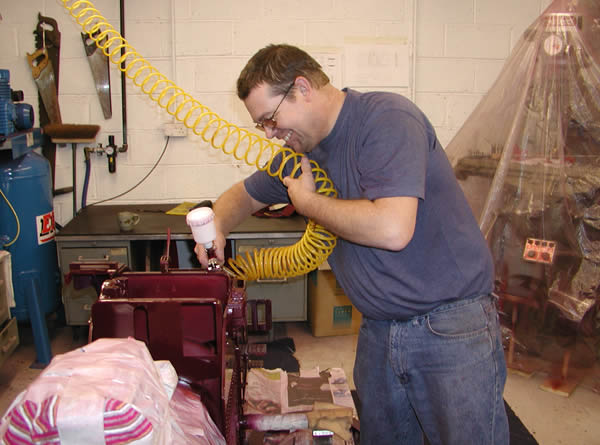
<point x="278" y="66"/>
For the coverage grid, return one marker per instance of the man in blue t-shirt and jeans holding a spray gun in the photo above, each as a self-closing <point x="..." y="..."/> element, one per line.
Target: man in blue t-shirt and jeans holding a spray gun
<point x="410" y="255"/>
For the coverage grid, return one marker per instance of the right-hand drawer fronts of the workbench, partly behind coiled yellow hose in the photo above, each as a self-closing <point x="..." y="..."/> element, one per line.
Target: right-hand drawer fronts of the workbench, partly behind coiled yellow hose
<point x="288" y="295"/>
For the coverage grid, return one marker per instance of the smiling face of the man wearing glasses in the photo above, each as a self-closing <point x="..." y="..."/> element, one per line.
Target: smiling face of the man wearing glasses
<point x="289" y="117"/>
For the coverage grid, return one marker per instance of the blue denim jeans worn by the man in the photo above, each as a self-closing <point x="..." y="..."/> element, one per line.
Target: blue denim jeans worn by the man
<point x="441" y="374"/>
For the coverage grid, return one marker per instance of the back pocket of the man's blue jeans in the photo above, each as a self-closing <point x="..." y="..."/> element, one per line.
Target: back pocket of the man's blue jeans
<point x="461" y="321"/>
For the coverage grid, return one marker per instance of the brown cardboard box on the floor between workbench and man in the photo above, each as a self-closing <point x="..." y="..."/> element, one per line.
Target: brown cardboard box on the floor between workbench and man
<point x="329" y="309"/>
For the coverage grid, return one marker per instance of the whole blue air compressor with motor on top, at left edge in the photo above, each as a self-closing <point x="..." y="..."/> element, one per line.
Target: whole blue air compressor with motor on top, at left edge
<point x="26" y="208"/>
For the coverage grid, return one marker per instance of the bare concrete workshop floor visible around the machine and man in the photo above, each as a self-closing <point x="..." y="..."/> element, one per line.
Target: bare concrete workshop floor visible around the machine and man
<point x="551" y="418"/>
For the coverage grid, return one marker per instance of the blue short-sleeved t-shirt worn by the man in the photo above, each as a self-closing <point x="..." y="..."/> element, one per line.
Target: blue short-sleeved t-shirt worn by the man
<point x="382" y="145"/>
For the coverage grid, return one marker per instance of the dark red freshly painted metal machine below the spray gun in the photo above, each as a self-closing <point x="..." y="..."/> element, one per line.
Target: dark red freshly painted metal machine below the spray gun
<point x="195" y="319"/>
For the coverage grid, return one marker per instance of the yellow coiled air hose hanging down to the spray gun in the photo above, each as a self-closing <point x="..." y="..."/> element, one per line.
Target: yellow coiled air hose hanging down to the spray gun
<point x="280" y="262"/>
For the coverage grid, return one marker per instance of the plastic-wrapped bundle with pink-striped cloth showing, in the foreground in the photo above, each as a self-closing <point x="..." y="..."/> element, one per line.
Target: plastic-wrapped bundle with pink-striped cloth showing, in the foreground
<point x="107" y="392"/>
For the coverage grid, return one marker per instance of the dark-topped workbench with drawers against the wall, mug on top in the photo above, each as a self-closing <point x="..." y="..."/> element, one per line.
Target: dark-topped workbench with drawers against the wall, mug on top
<point x="94" y="234"/>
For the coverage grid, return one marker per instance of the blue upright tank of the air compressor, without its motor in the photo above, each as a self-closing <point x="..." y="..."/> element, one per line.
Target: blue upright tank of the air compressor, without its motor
<point x="26" y="182"/>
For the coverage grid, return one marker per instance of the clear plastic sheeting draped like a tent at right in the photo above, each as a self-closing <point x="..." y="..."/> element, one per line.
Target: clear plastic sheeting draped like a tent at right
<point x="528" y="159"/>
